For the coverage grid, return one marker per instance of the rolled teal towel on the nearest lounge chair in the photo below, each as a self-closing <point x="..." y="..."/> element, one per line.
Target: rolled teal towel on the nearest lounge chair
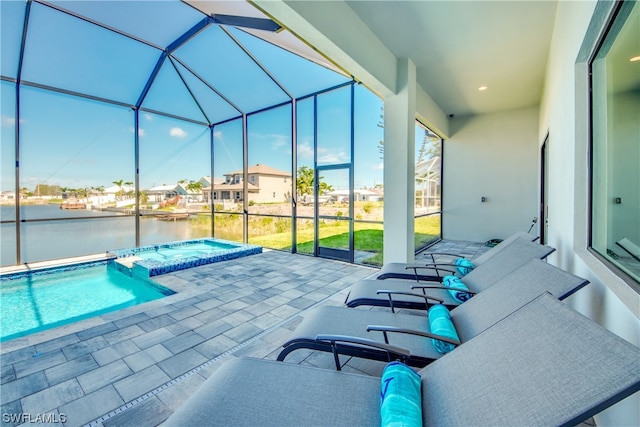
<point x="400" y="396"/>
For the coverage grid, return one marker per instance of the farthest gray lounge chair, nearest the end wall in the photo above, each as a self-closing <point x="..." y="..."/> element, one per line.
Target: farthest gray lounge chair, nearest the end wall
<point x="435" y="268"/>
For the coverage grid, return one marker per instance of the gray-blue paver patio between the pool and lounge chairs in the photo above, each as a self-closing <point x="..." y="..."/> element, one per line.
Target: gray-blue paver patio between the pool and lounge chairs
<point x="137" y="365"/>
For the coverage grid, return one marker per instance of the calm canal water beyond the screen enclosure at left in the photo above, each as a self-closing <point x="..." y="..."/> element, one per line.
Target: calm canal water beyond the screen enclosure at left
<point x="82" y="232"/>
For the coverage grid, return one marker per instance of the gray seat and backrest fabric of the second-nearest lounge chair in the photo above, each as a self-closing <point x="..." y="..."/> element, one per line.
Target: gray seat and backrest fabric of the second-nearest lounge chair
<point x="471" y="318"/>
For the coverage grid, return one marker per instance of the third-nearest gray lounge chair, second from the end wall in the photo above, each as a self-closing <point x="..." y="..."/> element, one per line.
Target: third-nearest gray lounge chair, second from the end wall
<point x="397" y="293"/>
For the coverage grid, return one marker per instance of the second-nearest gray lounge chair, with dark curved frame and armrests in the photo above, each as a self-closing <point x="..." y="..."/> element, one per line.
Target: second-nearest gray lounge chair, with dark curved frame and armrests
<point x="363" y="333"/>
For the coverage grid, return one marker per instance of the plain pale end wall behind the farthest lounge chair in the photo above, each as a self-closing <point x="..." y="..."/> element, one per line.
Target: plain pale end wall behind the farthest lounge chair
<point x="493" y="156"/>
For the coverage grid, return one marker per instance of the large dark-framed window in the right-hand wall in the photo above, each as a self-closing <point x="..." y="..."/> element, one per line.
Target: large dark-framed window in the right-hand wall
<point x="615" y="147"/>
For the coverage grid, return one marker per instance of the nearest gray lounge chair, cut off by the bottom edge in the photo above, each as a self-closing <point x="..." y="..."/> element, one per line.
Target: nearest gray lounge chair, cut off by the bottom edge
<point x="545" y="364"/>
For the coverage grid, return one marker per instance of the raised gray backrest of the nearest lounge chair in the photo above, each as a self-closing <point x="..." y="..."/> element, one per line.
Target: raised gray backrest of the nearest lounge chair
<point x="545" y="364"/>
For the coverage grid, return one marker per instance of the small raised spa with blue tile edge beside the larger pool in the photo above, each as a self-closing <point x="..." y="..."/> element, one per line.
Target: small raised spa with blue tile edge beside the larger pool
<point x="149" y="261"/>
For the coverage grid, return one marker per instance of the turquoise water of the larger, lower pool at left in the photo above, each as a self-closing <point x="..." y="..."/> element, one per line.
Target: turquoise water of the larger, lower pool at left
<point x="35" y="301"/>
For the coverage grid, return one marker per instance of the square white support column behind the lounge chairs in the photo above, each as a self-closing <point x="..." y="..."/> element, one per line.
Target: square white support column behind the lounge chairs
<point x="399" y="165"/>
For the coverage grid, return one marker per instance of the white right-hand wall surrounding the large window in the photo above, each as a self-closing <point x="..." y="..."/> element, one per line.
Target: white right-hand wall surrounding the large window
<point x="564" y="114"/>
